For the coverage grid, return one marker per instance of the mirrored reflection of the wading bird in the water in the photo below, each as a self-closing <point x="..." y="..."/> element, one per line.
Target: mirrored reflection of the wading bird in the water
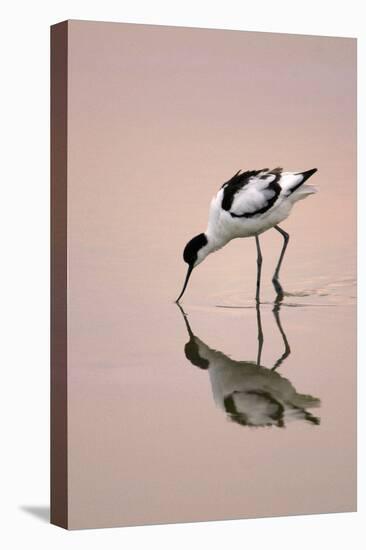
<point x="249" y="393"/>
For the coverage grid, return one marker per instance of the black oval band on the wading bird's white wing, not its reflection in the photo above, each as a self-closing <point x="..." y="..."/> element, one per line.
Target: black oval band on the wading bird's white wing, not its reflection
<point x="273" y="186"/>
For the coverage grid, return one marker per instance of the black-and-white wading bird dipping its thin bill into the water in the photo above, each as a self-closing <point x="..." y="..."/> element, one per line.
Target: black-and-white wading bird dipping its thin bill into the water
<point x="247" y="205"/>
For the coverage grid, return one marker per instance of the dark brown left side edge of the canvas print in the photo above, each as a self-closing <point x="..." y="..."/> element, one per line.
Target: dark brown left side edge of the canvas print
<point x="59" y="447"/>
